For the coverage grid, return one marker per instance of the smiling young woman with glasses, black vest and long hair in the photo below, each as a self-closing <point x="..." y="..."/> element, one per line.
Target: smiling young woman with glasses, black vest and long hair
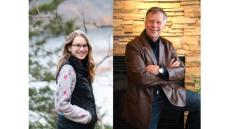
<point x="74" y="100"/>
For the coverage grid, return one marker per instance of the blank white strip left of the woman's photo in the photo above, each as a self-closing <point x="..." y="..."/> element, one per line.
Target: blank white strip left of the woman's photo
<point x="14" y="64"/>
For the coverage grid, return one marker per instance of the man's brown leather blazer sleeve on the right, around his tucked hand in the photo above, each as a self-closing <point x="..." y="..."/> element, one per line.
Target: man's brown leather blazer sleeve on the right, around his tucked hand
<point x="176" y="73"/>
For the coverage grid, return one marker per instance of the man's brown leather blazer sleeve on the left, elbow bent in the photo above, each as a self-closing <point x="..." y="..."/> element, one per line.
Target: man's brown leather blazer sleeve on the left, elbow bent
<point x="135" y="65"/>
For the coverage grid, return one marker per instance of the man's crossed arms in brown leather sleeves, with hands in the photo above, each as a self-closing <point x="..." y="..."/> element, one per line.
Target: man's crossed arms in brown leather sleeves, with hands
<point x="144" y="73"/>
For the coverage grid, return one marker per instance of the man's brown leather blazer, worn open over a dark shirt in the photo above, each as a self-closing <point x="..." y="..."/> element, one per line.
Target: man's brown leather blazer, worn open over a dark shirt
<point x="138" y="99"/>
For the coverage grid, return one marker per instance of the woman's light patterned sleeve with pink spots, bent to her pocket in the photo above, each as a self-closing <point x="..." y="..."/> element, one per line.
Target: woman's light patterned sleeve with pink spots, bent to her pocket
<point x="65" y="85"/>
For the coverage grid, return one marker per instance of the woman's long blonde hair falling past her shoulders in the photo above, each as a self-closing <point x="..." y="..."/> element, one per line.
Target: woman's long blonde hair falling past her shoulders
<point x="66" y="53"/>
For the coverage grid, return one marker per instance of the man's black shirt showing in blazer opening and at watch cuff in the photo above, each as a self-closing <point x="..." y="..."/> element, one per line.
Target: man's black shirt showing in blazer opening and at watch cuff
<point x="155" y="47"/>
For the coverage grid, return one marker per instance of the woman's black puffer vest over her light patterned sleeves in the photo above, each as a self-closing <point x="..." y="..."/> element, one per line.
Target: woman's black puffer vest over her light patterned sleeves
<point x="82" y="96"/>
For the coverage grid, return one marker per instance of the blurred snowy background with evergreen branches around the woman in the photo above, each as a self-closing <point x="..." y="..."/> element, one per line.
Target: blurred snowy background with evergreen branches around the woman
<point x="49" y="22"/>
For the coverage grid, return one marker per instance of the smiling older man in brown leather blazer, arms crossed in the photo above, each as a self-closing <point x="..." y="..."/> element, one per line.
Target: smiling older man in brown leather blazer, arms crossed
<point x="152" y="68"/>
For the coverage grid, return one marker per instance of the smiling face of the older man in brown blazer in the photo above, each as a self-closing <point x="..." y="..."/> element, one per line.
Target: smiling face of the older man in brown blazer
<point x="154" y="24"/>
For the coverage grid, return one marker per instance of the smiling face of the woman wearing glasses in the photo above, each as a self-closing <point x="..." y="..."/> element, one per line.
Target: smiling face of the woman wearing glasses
<point x="79" y="48"/>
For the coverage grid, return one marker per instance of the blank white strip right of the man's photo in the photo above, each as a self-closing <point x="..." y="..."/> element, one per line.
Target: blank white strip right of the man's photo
<point x="215" y="56"/>
